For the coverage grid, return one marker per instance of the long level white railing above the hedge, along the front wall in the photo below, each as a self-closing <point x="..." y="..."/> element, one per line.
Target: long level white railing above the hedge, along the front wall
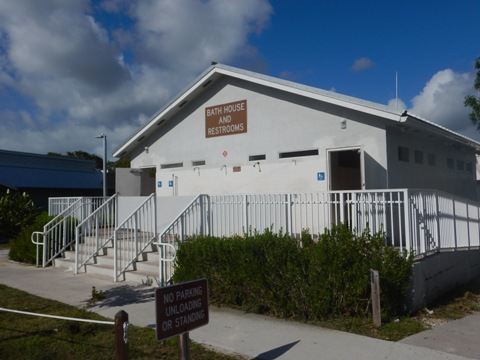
<point x="378" y="210"/>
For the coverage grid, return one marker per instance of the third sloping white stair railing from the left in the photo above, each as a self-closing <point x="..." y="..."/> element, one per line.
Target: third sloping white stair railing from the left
<point x="134" y="235"/>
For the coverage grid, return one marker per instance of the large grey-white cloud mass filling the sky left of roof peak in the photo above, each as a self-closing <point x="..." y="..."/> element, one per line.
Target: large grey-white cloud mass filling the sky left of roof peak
<point x="66" y="76"/>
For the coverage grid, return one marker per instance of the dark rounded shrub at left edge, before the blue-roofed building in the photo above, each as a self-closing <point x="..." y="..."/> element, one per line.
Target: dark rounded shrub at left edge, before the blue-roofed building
<point x="16" y="211"/>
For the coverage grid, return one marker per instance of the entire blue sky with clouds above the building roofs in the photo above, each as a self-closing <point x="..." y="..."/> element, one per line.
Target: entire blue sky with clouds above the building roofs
<point x="71" y="70"/>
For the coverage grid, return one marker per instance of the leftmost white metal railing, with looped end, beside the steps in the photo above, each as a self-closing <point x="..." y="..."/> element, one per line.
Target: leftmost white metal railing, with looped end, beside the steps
<point x="59" y="233"/>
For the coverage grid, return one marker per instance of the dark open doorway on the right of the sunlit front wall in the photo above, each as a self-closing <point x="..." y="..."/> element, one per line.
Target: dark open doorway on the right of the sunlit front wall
<point x="346" y="169"/>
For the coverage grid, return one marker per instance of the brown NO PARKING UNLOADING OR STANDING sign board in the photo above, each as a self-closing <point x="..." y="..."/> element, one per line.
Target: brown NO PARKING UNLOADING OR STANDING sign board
<point x="181" y="308"/>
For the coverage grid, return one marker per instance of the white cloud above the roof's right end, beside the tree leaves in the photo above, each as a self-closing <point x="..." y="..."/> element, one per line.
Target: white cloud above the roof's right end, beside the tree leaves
<point x="441" y="101"/>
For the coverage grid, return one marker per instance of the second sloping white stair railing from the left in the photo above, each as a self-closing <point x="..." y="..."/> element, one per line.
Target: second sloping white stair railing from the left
<point x="94" y="233"/>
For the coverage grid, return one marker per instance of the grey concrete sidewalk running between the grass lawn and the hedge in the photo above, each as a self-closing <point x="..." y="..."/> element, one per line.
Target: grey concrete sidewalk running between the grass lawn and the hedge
<point x="254" y="336"/>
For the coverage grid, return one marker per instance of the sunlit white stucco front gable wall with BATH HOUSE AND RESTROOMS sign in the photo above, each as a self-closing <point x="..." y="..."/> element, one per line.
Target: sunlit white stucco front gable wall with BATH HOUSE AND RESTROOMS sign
<point x="276" y="123"/>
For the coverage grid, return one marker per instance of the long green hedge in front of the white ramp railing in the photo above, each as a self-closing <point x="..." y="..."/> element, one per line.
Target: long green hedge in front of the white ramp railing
<point x="305" y="279"/>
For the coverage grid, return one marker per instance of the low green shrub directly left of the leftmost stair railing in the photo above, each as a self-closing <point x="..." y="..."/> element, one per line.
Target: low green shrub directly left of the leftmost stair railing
<point x="21" y="248"/>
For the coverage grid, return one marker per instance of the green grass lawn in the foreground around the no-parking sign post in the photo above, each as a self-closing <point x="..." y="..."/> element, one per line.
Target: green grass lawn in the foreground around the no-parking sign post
<point x="32" y="337"/>
